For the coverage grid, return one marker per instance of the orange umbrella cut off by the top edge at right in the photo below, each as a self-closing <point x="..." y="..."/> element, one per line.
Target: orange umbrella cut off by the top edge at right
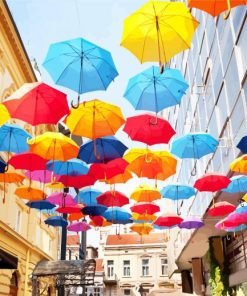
<point x="215" y="7"/>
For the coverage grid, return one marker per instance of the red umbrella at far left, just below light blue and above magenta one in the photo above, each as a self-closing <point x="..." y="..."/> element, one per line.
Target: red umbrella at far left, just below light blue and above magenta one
<point x="28" y="161"/>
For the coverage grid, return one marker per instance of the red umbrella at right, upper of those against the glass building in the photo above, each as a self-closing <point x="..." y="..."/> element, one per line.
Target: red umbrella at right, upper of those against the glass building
<point x="212" y="182"/>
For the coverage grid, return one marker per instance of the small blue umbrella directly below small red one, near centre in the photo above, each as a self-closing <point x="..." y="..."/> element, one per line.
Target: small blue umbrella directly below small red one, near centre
<point x="117" y="215"/>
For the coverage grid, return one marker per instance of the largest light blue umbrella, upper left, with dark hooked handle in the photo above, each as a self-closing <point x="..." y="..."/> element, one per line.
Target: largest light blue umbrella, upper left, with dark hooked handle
<point x="80" y="65"/>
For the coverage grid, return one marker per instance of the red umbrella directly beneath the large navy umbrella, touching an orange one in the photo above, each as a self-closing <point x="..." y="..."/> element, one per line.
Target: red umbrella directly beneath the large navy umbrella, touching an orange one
<point x="114" y="167"/>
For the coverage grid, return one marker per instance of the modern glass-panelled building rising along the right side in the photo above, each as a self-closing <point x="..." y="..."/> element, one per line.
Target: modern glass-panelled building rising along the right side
<point x="216" y="103"/>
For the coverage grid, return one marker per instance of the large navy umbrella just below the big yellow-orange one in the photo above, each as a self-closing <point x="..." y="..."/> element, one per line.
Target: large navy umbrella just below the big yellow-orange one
<point x="108" y="148"/>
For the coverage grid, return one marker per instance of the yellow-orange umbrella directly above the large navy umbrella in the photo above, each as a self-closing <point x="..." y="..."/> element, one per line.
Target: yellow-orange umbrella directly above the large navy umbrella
<point x="95" y="119"/>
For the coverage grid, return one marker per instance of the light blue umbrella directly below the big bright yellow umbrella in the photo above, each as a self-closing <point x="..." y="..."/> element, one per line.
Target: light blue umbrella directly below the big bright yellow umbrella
<point x="153" y="91"/>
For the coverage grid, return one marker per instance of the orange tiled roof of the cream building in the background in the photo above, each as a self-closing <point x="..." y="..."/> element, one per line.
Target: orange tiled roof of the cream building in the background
<point x="134" y="239"/>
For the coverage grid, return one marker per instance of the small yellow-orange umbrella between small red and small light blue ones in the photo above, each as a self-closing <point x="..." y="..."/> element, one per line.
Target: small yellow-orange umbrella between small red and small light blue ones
<point x="145" y="193"/>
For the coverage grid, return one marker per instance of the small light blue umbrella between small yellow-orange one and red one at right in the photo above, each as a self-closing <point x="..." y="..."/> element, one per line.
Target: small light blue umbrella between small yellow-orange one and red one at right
<point x="178" y="191"/>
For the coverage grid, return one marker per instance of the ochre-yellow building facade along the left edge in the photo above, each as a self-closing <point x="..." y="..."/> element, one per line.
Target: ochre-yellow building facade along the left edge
<point x="24" y="238"/>
